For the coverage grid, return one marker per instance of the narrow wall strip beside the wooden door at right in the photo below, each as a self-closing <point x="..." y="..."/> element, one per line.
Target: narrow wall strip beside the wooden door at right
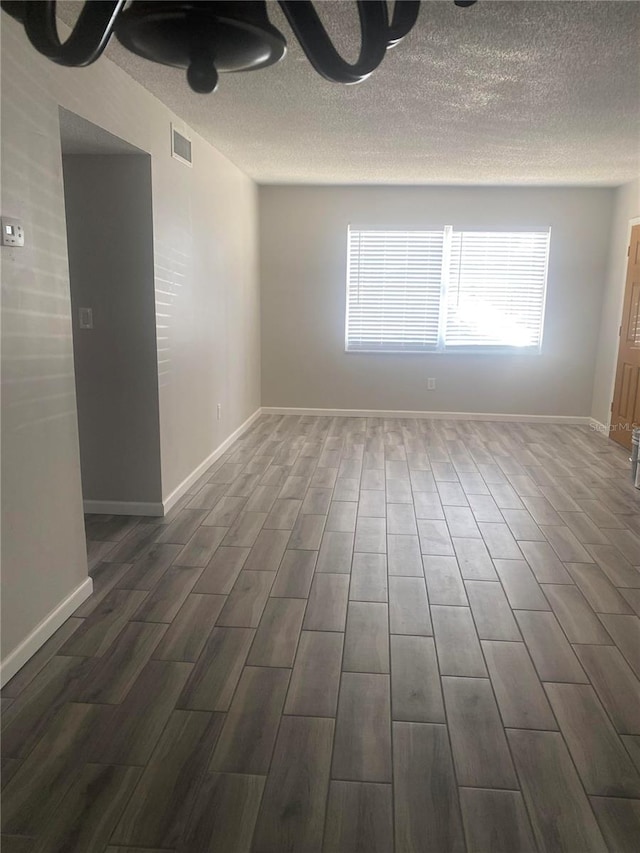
<point x="627" y="206"/>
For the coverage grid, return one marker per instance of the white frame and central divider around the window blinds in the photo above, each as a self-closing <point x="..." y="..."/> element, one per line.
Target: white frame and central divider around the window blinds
<point x="441" y="348"/>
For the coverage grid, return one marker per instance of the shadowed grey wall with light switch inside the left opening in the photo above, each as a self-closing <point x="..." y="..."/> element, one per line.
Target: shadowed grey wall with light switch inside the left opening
<point x="110" y="245"/>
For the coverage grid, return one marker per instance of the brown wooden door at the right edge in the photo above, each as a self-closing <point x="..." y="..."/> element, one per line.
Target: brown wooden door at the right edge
<point x="625" y="409"/>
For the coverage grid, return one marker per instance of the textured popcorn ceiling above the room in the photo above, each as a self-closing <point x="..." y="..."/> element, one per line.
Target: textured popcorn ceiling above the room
<point x="502" y="93"/>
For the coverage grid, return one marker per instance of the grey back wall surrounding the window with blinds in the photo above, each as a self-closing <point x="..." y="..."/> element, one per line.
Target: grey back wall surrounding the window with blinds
<point x="303" y="238"/>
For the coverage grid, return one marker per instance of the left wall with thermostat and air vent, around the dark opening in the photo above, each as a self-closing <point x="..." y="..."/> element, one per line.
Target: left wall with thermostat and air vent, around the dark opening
<point x="207" y="302"/>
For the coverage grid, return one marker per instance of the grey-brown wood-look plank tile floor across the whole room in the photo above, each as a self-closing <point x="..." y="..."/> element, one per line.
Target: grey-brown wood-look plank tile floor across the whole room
<point x="351" y="635"/>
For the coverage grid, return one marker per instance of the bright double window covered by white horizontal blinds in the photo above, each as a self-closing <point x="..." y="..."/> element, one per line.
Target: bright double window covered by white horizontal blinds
<point x="446" y="290"/>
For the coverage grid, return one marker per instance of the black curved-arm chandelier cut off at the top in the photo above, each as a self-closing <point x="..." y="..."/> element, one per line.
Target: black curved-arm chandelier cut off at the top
<point x="211" y="36"/>
